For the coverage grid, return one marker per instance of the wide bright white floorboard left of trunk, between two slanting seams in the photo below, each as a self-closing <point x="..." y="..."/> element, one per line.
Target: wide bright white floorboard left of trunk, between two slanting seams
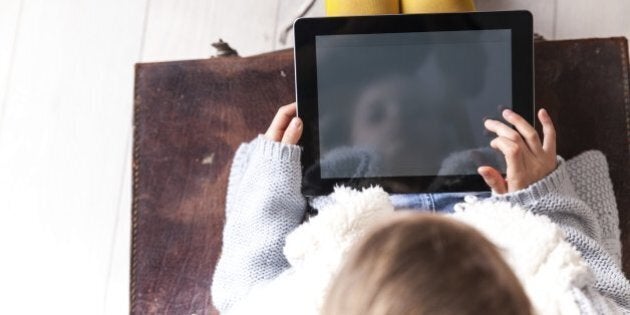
<point x="63" y="137"/>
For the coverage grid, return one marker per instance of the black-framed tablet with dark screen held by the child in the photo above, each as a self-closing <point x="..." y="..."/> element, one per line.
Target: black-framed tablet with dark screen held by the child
<point x="399" y="100"/>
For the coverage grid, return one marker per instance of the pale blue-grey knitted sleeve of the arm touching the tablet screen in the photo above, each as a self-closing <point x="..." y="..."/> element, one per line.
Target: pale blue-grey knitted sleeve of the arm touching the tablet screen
<point x="555" y="196"/>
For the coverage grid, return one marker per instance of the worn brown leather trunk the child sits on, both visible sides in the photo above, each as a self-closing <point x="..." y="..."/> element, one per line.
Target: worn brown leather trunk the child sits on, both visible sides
<point x="190" y="116"/>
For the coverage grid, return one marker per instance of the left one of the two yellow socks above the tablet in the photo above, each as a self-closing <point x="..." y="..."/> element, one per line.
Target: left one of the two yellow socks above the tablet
<point x="361" y="7"/>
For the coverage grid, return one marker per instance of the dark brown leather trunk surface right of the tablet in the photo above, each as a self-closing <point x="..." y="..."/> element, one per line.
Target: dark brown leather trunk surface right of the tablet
<point x="584" y="85"/>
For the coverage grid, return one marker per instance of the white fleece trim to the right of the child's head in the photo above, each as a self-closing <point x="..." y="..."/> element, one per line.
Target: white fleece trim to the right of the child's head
<point x="548" y="267"/>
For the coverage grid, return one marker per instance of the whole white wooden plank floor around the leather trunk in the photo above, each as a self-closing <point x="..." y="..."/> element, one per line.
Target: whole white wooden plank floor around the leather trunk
<point x="66" y="89"/>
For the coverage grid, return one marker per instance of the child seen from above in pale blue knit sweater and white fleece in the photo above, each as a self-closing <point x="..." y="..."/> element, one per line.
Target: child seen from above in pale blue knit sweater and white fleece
<point x="546" y="241"/>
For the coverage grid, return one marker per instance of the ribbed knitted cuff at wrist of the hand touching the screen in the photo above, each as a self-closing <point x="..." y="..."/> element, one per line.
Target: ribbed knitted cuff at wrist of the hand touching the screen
<point x="557" y="181"/>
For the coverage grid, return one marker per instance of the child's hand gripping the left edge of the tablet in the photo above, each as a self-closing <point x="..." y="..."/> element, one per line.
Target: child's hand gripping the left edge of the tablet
<point x="285" y="127"/>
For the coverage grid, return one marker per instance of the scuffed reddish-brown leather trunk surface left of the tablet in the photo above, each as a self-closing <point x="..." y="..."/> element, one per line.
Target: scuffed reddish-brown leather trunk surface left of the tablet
<point x="189" y="119"/>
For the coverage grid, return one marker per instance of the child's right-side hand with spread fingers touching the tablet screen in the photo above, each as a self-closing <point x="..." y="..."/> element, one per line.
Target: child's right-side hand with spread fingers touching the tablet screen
<point x="528" y="160"/>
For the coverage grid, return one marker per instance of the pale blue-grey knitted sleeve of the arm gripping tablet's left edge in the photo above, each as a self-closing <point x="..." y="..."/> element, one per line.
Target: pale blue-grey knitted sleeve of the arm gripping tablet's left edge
<point x="264" y="203"/>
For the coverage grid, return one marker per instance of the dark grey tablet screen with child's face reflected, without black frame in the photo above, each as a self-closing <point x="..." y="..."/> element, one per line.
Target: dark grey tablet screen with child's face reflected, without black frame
<point x="410" y="104"/>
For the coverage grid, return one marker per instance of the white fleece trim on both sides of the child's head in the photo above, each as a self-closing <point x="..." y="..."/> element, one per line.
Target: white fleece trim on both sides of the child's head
<point x="548" y="267"/>
